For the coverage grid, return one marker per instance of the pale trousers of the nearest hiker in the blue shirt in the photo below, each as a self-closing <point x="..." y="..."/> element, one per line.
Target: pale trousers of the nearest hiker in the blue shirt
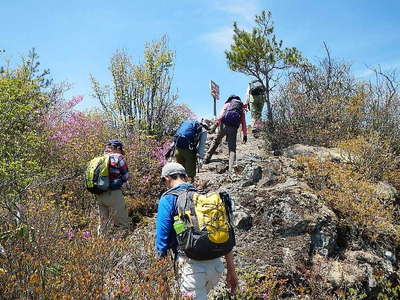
<point x="199" y="277"/>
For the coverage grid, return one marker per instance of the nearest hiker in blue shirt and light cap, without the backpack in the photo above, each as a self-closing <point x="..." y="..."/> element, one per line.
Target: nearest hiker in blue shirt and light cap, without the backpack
<point x="198" y="277"/>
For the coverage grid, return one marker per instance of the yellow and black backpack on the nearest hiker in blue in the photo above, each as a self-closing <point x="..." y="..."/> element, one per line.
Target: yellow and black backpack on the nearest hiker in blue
<point x="203" y="224"/>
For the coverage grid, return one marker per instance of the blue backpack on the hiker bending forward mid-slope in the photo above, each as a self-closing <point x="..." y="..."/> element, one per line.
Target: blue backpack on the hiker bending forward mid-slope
<point x="187" y="135"/>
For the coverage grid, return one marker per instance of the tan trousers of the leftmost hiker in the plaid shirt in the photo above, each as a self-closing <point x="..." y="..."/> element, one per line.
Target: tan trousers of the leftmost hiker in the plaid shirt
<point x="112" y="207"/>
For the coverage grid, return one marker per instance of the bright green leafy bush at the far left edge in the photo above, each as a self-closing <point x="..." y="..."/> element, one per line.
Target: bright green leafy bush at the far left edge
<point x="21" y="106"/>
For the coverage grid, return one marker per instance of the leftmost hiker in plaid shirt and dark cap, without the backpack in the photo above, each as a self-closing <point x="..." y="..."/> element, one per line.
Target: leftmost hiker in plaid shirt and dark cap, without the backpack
<point x="111" y="202"/>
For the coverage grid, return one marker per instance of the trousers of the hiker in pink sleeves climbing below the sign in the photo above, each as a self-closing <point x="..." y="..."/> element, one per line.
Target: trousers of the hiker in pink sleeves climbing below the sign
<point x="231" y="133"/>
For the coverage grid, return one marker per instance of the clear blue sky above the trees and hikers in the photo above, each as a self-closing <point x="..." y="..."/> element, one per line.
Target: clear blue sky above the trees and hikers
<point x="74" y="38"/>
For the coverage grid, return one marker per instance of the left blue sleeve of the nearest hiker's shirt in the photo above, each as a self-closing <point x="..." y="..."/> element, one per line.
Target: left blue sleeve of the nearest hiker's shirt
<point x="164" y="224"/>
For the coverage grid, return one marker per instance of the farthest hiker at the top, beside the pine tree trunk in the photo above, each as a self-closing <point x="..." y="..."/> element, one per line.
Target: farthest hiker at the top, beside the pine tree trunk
<point x="255" y="100"/>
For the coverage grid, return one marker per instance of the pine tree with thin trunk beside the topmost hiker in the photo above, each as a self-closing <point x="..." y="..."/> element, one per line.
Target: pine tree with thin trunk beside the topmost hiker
<point x="260" y="55"/>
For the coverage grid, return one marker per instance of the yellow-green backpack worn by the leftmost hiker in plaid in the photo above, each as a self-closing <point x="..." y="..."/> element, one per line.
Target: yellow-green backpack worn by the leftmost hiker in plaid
<point x="97" y="175"/>
